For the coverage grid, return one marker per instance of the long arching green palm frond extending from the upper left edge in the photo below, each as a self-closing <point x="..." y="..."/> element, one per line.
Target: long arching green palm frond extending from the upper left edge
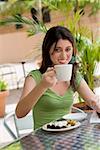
<point x="32" y="25"/>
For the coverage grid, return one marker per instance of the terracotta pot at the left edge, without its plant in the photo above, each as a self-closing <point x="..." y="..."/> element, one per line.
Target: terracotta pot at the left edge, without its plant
<point x="3" y="96"/>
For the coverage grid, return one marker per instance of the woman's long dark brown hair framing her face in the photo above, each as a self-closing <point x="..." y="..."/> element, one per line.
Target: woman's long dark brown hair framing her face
<point x="52" y="36"/>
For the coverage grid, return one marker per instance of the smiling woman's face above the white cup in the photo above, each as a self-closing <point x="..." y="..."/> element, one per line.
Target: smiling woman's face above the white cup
<point x="62" y="53"/>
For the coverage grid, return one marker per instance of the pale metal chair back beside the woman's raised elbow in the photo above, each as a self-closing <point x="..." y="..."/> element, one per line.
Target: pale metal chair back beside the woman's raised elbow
<point x="18" y="127"/>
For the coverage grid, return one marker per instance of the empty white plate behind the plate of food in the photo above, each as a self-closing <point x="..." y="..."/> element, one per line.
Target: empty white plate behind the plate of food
<point x="75" y="116"/>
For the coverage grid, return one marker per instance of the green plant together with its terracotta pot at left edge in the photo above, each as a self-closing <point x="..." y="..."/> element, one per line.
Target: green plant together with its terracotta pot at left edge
<point x="3" y="94"/>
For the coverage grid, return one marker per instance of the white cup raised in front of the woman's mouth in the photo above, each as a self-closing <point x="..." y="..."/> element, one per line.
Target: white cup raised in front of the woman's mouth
<point x="63" y="72"/>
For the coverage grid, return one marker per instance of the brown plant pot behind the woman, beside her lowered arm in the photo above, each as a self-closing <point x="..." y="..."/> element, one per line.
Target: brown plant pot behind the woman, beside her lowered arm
<point x="83" y="106"/>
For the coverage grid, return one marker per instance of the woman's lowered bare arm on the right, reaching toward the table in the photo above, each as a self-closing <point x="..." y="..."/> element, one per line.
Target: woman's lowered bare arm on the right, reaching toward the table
<point x="87" y="94"/>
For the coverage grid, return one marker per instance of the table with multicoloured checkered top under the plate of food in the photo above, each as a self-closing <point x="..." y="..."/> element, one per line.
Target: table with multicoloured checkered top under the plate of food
<point x="86" y="137"/>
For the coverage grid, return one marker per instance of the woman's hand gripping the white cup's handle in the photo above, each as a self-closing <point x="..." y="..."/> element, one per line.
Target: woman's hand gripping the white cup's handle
<point x="49" y="78"/>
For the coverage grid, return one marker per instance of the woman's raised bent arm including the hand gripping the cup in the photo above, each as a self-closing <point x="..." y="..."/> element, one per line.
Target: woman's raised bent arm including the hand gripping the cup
<point x="32" y="92"/>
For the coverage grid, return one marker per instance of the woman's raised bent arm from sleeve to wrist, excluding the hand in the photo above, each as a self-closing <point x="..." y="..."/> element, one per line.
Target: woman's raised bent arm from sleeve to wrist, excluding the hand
<point x="30" y="95"/>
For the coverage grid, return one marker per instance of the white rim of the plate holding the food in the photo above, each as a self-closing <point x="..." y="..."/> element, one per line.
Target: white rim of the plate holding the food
<point x="62" y="129"/>
